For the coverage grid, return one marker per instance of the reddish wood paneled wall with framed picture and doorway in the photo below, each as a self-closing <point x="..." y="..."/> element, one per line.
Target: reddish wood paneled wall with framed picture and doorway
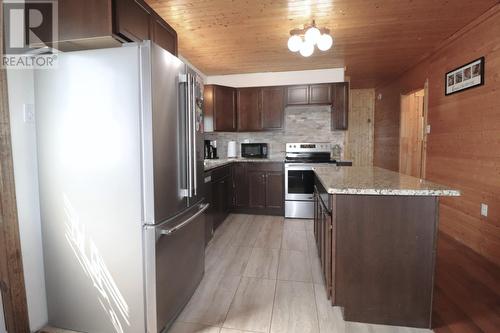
<point x="464" y="144"/>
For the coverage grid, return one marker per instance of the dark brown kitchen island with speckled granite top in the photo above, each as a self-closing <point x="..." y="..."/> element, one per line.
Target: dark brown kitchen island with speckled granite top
<point x="376" y="232"/>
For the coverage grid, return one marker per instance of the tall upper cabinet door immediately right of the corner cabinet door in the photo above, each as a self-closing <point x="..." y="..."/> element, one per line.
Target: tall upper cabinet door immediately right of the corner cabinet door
<point x="249" y="111"/>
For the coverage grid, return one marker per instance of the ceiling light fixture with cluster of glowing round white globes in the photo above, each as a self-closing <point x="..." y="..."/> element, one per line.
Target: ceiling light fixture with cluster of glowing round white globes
<point x="303" y="40"/>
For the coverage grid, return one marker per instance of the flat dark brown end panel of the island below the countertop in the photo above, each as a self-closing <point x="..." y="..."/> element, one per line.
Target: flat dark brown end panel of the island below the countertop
<point x="386" y="248"/>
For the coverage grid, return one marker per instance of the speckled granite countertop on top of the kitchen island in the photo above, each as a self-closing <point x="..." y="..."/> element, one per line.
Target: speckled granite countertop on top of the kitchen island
<point x="377" y="181"/>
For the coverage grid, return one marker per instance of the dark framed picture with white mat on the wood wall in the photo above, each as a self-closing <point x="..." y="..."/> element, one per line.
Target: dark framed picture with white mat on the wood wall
<point x="465" y="77"/>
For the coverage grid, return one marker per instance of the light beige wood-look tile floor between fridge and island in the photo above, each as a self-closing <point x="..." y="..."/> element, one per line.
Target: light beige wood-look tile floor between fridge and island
<point x="263" y="275"/>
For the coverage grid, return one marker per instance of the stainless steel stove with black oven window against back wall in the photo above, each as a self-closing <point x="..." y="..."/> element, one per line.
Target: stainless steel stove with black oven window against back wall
<point x="299" y="177"/>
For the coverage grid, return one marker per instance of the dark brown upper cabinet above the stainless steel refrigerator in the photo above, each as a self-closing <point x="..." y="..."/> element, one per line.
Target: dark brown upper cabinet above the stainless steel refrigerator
<point x="93" y="24"/>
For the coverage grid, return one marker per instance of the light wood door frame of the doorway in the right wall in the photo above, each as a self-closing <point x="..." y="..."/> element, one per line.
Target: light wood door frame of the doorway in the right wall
<point x="423" y="158"/>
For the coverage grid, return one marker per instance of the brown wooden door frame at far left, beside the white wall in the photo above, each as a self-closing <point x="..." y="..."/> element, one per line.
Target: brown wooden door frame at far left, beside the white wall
<point x="11" y="265"/>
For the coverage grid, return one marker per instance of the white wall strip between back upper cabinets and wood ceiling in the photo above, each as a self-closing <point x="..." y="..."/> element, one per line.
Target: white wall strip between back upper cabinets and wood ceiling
<point x="278" y="78"/>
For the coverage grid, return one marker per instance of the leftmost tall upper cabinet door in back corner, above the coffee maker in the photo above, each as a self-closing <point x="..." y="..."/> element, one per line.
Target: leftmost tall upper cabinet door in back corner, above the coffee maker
<point x="224" y="100"/>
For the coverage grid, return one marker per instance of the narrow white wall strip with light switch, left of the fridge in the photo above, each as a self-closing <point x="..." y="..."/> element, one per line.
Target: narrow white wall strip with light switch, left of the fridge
<point x="21" y="91"/>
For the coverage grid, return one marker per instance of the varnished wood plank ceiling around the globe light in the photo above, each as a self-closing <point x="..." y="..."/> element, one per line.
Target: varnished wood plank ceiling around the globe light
<point x="374" y="40"/>
